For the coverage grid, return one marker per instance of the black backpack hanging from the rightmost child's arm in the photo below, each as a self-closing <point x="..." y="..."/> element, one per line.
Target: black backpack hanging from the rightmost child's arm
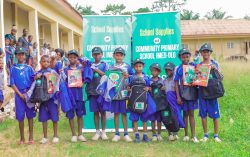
<point x="214" y="89"/>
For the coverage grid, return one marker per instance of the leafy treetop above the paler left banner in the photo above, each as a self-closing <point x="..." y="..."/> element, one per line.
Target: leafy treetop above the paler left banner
<point x="114" y="9"/>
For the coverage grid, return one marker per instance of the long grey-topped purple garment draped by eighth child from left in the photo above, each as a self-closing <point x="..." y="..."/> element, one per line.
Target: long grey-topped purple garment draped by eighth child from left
<point x="169" y="85"/>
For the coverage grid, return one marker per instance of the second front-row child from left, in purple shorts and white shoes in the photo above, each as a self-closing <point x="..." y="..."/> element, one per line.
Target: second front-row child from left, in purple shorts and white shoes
<point x="48" y="110"/>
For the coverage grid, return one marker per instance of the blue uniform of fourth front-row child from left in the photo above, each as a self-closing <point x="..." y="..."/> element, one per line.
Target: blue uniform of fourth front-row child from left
<point x="95" y="105"/>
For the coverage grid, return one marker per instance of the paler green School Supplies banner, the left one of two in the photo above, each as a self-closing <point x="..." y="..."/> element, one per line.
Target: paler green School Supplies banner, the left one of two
<point x="107" y="32"/>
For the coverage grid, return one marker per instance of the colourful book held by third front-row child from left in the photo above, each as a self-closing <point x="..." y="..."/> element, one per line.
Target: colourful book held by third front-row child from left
<point x="75" y="78"/>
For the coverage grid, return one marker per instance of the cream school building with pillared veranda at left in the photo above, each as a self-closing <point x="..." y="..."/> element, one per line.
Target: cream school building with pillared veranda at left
<point x="52" y="21"/>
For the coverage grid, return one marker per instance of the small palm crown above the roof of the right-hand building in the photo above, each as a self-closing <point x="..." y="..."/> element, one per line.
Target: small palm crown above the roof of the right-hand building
<point x="217" y="14"/>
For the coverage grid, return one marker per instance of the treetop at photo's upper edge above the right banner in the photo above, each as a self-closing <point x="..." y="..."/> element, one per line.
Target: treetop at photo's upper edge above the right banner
<point x="169" y="5"/>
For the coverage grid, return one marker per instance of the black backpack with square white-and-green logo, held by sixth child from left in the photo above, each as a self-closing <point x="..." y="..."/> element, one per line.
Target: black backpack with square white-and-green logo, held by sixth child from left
<point x="137" y="101"/>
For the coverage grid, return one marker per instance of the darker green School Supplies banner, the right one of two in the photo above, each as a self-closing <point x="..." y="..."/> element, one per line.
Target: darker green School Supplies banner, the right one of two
<point x="156" y="38"/>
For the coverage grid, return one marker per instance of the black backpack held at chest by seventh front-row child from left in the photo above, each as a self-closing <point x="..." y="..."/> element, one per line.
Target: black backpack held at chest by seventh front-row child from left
<point x="159" y="96"/>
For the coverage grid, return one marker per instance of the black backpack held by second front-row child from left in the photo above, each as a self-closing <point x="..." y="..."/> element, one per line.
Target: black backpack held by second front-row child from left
<point x="40" y="93"/>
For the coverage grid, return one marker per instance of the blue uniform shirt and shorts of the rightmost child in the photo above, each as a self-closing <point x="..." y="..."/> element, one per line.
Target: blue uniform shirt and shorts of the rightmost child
<point x="209" y="107"/>
